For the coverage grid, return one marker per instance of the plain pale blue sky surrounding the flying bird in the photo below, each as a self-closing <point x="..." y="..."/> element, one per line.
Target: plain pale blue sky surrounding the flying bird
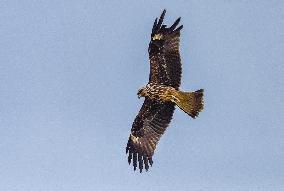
<point x="70" y="71"/>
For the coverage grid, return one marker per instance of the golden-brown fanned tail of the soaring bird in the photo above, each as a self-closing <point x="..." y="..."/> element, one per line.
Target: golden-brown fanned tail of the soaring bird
<point x="190" y="102"/>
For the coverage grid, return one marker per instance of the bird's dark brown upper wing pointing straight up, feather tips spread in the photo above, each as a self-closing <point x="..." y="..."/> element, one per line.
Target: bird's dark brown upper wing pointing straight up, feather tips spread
<point x="165" y="62"/>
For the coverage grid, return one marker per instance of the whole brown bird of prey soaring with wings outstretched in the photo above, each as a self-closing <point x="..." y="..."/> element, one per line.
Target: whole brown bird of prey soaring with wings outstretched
<point x="161" y="94"/>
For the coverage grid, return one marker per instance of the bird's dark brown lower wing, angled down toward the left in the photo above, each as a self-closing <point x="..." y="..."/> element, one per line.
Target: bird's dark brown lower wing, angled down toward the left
<point x="147" y="129"/>
